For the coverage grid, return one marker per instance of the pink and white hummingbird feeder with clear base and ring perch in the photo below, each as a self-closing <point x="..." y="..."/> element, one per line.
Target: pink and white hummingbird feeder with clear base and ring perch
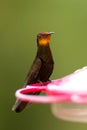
<point x="67" y="95"/>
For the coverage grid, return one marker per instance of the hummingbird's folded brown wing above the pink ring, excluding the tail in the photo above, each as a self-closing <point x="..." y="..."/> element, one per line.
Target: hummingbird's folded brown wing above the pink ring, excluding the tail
<point x="34" y="71"/>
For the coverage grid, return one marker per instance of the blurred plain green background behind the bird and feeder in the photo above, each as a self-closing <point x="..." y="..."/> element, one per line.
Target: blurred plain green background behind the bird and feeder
<point x="20" y="21"/>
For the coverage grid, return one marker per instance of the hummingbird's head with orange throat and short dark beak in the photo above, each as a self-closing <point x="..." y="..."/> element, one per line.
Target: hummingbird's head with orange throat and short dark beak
<point x="43" y="39"/>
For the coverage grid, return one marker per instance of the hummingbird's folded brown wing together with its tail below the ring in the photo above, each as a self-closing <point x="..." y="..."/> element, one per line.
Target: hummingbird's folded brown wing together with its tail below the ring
<point x="30" y="79"/>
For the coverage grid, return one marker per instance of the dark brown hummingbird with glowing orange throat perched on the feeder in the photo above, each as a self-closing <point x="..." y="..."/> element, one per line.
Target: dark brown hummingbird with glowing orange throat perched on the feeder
<point x="41" y="69"/>
